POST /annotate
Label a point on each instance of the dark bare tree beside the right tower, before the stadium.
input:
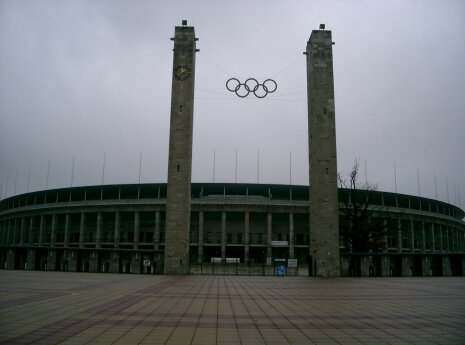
(361, 230)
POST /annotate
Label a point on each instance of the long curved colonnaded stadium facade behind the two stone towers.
(234, 229)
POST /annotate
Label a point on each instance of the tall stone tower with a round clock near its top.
(178, 201)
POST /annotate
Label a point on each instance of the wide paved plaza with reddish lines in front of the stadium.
(85, 308)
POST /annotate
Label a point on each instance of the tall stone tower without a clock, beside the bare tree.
(324, 212)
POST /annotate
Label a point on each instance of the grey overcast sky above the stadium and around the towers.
(84, 80)
